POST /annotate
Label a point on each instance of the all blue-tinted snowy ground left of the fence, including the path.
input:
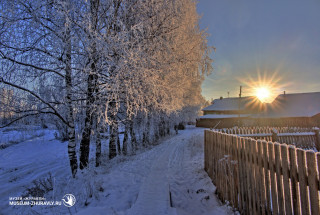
(166, 179)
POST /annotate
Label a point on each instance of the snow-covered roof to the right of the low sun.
(293, 105)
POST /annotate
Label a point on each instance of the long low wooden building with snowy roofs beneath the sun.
(300, 109)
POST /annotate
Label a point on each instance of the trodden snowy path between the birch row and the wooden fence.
(191, 189)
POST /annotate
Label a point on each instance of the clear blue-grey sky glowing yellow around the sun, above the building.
(276, 40)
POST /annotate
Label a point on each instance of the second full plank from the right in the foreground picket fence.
(302, 181)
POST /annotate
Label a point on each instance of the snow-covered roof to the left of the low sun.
(230, 104)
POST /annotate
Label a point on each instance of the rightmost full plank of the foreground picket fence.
(313, 182)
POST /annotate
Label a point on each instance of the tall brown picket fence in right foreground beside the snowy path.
(260, 177)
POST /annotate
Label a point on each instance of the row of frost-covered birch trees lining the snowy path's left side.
(104, 65)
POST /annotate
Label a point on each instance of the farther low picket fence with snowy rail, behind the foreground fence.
(305, 138)
